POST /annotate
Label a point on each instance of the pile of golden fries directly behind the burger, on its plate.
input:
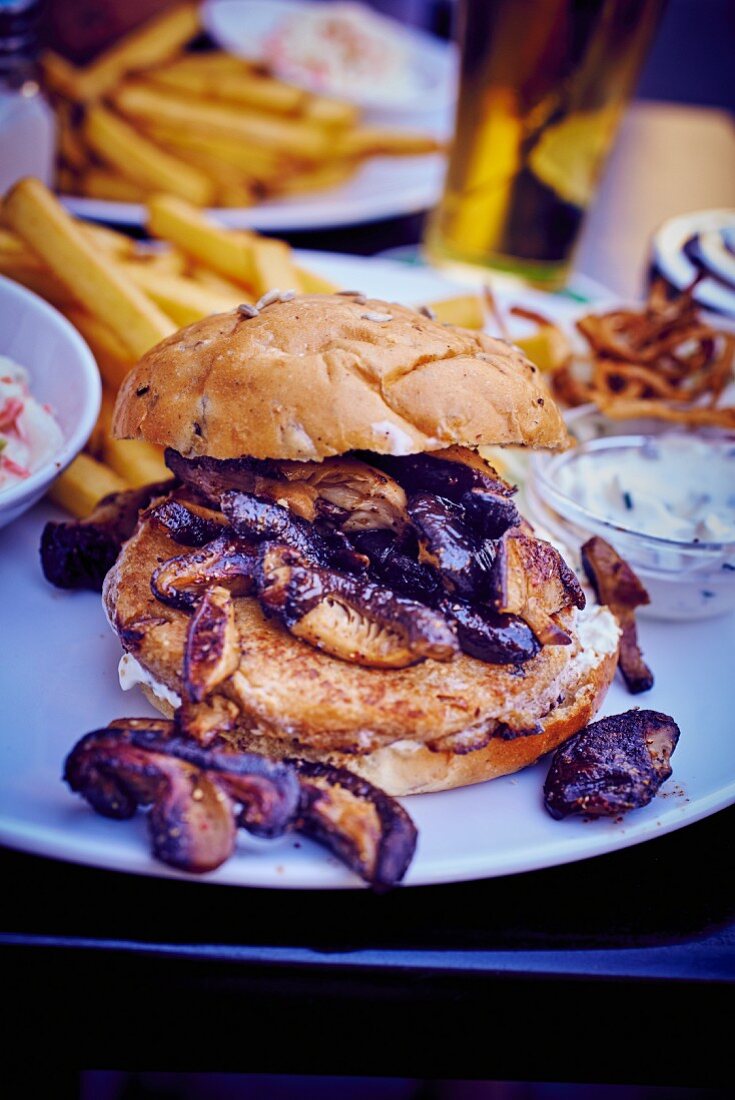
(125, 298)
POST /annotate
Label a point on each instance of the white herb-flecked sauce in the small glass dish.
(673, 487)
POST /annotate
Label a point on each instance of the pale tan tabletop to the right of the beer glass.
(668, 160)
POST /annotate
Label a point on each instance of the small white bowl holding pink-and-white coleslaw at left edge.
(50, 398)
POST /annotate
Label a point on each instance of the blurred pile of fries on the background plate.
(148, 116)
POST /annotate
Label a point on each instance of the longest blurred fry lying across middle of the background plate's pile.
(298, 137)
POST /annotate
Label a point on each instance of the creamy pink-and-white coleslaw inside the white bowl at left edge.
(29, 434)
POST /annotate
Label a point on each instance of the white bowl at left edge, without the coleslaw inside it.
(62, 372)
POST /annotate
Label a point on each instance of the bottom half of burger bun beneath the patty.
(410, 767)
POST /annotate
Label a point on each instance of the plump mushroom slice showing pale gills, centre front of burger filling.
(350, 618)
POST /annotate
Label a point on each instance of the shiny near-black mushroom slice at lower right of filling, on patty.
(489, 636)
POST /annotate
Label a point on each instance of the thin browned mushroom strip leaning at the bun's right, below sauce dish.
(617, 586)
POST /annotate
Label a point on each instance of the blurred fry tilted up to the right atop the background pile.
(152, 45)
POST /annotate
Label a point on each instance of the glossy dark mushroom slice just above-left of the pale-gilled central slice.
(264, 521)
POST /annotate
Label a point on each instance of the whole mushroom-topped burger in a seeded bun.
(335, 574)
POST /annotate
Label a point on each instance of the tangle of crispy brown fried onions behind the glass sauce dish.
(663, 361)
